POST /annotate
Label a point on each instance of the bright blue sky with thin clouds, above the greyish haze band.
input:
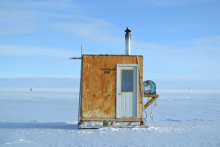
(179, 39)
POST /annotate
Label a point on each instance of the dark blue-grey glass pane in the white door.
(127, 80)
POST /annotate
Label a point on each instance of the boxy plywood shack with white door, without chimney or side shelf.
(111, 90)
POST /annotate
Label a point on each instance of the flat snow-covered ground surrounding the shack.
(48, 117)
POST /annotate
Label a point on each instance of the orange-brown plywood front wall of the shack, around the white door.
(99, 81)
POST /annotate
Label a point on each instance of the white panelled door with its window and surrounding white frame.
(127, 91)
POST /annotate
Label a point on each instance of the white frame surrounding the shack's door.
(137, 83)
